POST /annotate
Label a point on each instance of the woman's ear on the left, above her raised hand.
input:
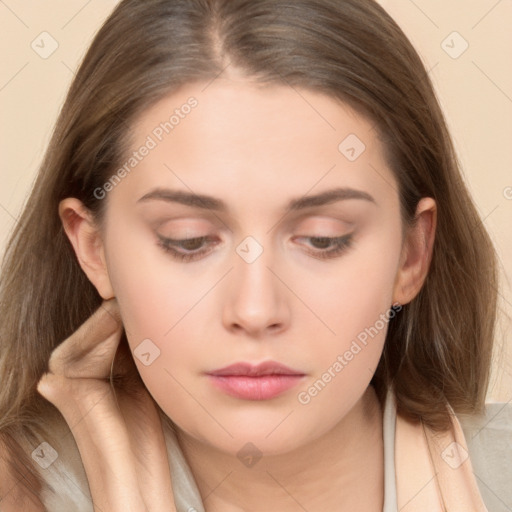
(86, 240)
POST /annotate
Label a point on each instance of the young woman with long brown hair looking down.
(257, 227)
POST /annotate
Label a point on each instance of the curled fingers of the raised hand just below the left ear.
(89, 351)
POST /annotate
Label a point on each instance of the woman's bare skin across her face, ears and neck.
(257, 148)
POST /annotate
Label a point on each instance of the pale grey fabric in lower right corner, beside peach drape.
(489, 443)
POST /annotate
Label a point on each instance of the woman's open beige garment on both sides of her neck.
(417, 487)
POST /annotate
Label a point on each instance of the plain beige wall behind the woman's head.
(475, 90)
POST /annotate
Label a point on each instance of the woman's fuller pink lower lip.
(264, 387)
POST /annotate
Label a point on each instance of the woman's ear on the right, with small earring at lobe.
(416, 252)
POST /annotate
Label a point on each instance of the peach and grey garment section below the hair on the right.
(444, 472)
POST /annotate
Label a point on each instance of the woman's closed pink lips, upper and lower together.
(255, 382)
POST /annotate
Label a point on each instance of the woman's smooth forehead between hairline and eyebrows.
(239, 140)
